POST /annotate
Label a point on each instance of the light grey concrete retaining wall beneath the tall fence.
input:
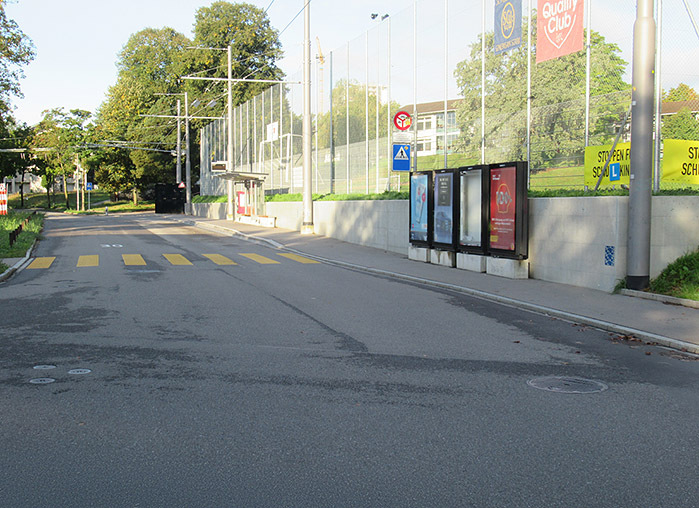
(577, 241)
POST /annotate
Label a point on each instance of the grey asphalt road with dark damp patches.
(295, 384)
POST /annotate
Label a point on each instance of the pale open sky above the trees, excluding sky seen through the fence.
(77, 41)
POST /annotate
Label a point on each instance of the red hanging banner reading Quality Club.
(559, 28)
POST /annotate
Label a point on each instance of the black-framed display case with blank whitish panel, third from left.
(473, 209)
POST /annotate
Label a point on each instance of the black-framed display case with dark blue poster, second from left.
(445, 215)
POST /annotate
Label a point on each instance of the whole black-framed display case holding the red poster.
(508, 219)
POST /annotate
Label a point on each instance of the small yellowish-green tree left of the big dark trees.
(62, 134)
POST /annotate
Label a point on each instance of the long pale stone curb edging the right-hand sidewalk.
(647, 337)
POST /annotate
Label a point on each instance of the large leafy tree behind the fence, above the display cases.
(558, 91)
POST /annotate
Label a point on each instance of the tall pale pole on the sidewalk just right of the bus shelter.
(307, 227)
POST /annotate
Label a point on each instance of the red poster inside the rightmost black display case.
(502, 208)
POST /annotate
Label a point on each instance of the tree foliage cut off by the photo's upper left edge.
(16, 50)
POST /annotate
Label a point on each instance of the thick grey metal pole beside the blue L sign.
(638, 258)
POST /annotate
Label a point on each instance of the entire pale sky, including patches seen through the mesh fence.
(77, 41)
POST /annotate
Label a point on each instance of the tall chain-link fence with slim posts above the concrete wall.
(434, 60)
